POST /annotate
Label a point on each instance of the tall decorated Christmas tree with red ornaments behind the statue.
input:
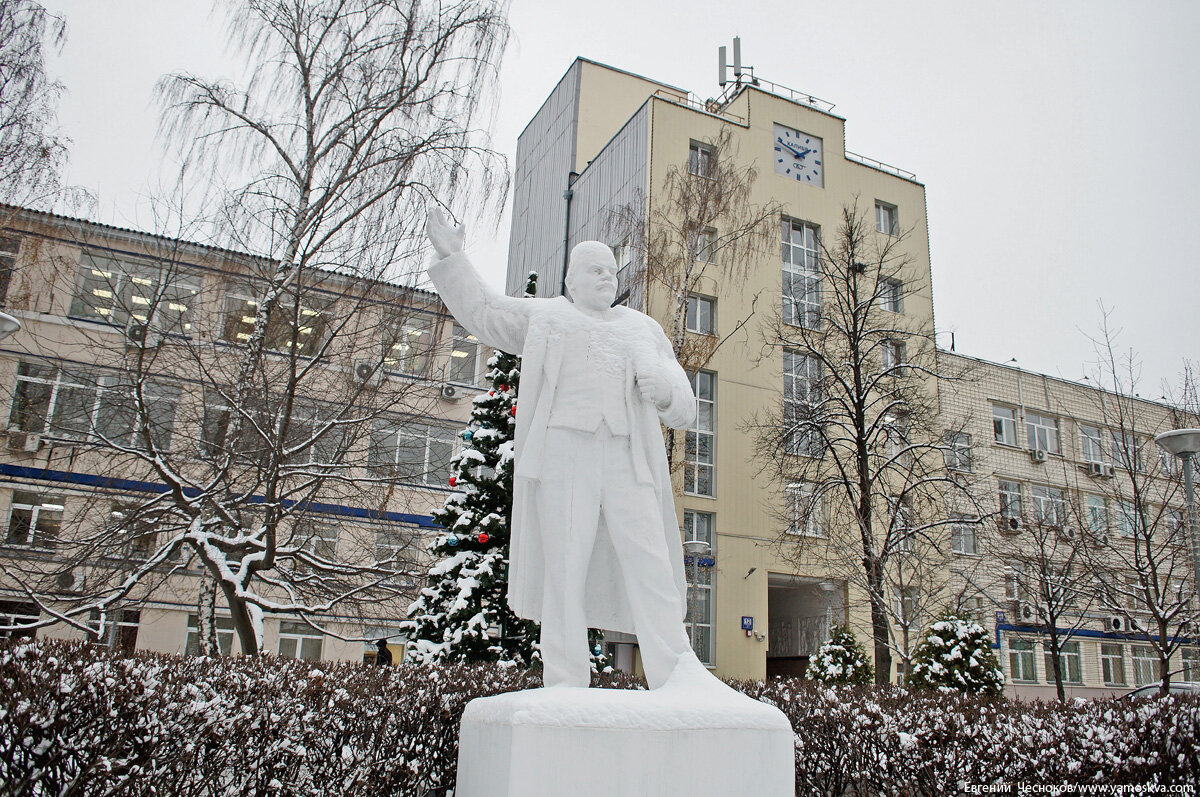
(464, 614)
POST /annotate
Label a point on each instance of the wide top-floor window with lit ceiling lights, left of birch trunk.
(121, 292)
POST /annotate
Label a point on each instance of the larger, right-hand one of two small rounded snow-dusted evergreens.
(957, 656)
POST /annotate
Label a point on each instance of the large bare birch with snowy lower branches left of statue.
(356, 116)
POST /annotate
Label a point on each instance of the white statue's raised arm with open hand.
(496, 320)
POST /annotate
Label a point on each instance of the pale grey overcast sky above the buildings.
(1058, 142)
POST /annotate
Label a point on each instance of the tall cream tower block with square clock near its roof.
(607, 140)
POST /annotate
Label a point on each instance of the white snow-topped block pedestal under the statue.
(568, 742)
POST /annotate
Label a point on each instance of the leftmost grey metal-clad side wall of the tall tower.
(545, 154)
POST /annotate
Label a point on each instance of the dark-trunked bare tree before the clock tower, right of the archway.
(857, 433)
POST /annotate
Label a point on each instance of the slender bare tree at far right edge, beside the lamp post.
(1143, 566)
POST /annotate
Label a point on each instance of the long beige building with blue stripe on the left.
(379, 381)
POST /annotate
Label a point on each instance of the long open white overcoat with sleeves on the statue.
(542, 329)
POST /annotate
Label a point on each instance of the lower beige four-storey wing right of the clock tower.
(1082, 518)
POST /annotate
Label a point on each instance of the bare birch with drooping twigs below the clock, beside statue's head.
(703, 224)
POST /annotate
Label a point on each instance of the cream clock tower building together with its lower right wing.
(608, 143)
